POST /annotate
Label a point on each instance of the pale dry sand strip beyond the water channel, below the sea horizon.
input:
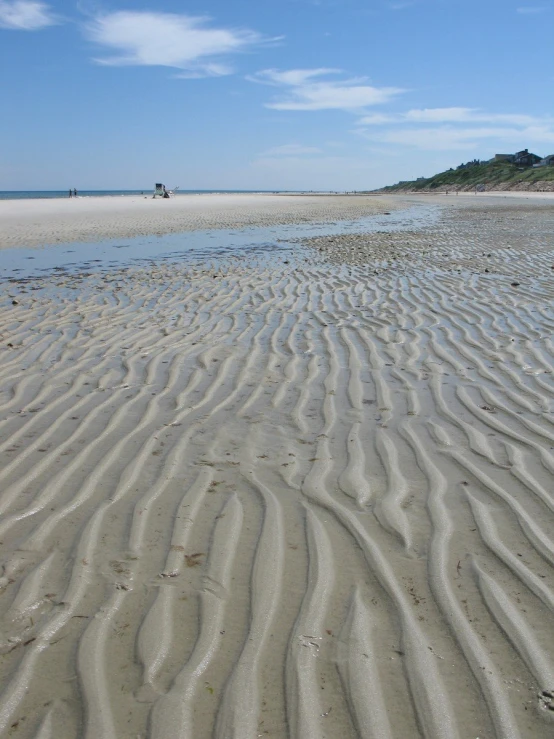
(40, 222)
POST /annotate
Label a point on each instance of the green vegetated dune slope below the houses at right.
(493, 175)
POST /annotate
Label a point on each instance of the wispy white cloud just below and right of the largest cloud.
(304, 89)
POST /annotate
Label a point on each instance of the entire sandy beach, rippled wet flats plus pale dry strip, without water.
(302, 494)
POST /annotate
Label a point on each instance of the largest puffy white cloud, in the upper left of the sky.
(188, 43)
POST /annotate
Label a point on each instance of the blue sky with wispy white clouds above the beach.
(258, 94)
